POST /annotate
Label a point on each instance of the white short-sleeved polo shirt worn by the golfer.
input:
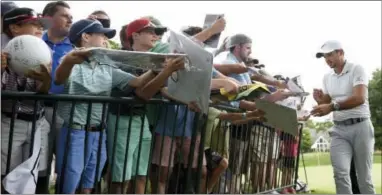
(340, 86)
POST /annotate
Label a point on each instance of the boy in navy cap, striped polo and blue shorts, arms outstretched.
(95, 78)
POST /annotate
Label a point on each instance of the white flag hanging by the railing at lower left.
(23, 179)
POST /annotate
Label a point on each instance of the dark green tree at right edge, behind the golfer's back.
(375, 101)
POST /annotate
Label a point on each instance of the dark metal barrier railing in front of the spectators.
(120, 153)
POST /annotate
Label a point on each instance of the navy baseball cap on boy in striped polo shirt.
(89, 26)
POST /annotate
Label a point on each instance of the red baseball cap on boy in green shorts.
(142, 24)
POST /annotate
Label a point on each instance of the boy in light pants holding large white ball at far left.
(17, 22)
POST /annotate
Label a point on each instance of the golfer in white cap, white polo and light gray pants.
(345, 93)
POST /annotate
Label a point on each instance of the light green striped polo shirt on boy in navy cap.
(96, 78)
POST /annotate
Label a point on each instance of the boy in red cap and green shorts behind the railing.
(141, 36)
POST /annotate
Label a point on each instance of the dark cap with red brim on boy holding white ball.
(18, 15)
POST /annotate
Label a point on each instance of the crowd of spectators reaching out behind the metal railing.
(235, 143)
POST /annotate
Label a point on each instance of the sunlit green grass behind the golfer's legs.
(320, 173)
